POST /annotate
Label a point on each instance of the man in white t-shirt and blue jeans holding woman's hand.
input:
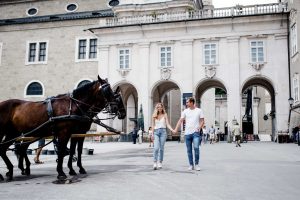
(194, 122)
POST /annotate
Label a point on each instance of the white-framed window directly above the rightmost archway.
(257, 51)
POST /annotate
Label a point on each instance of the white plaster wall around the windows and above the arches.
(187, 38)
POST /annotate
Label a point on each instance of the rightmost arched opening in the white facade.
(259, 102)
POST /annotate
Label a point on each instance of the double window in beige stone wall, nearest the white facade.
(86, 49)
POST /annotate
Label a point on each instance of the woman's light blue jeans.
(160, 136)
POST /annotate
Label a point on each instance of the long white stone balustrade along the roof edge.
(201, 14)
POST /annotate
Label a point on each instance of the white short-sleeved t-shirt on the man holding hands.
(192, 120)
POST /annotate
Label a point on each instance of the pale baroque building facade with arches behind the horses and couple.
(155, 51)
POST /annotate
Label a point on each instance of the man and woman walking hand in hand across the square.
(194, 121)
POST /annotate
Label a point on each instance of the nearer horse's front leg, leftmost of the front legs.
(61, 148)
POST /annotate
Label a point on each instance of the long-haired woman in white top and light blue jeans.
(159, 123)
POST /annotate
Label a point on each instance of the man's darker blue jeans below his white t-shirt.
(193, 140)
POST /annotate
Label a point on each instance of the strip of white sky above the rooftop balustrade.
(229, 3)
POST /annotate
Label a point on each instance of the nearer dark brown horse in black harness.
(60, 116)
